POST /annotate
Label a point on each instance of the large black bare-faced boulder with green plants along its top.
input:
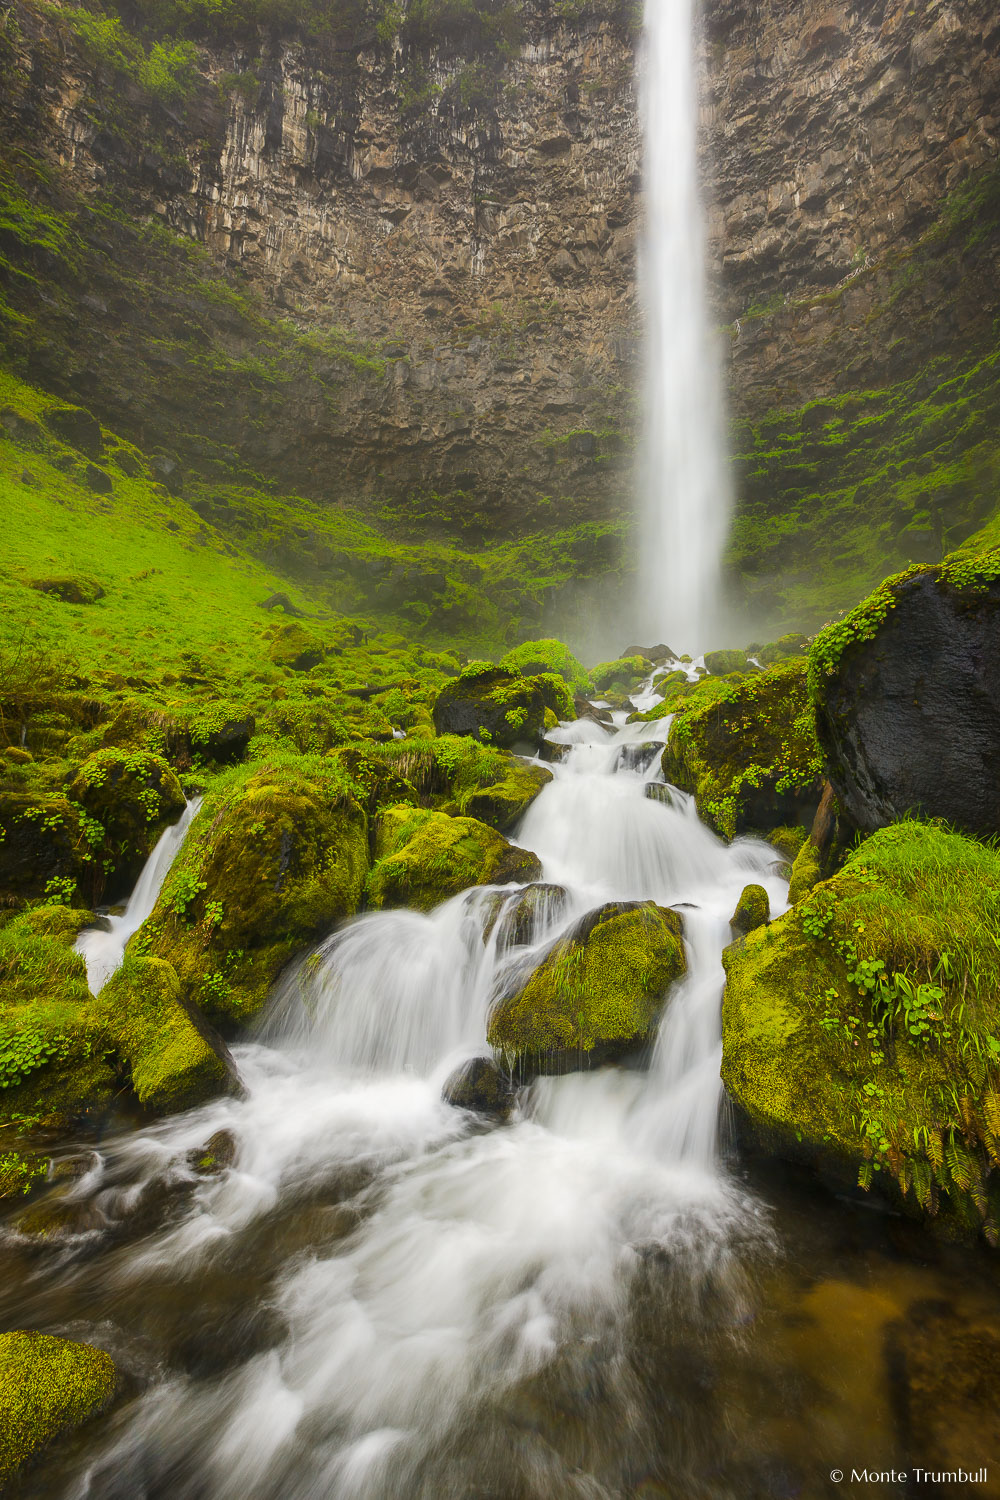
(908, 698)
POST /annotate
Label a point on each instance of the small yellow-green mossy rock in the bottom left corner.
(47, 1387)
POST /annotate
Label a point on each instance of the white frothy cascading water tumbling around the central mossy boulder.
(421, 1286)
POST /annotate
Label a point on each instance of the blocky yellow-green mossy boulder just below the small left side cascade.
(175, 1061)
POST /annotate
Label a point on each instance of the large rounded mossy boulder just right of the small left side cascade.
(275, 859)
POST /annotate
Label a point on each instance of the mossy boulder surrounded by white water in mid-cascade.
(597, 994)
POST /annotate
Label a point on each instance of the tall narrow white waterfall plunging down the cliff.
(684, 481)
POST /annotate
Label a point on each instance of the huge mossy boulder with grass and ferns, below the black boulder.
(861, 1031)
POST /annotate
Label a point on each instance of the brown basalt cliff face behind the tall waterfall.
(449, 239)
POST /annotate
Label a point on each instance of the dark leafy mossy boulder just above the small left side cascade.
(130, 797)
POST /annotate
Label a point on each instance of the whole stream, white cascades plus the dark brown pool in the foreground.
(374, 1295)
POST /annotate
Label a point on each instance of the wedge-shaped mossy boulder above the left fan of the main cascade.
(427, 857)
